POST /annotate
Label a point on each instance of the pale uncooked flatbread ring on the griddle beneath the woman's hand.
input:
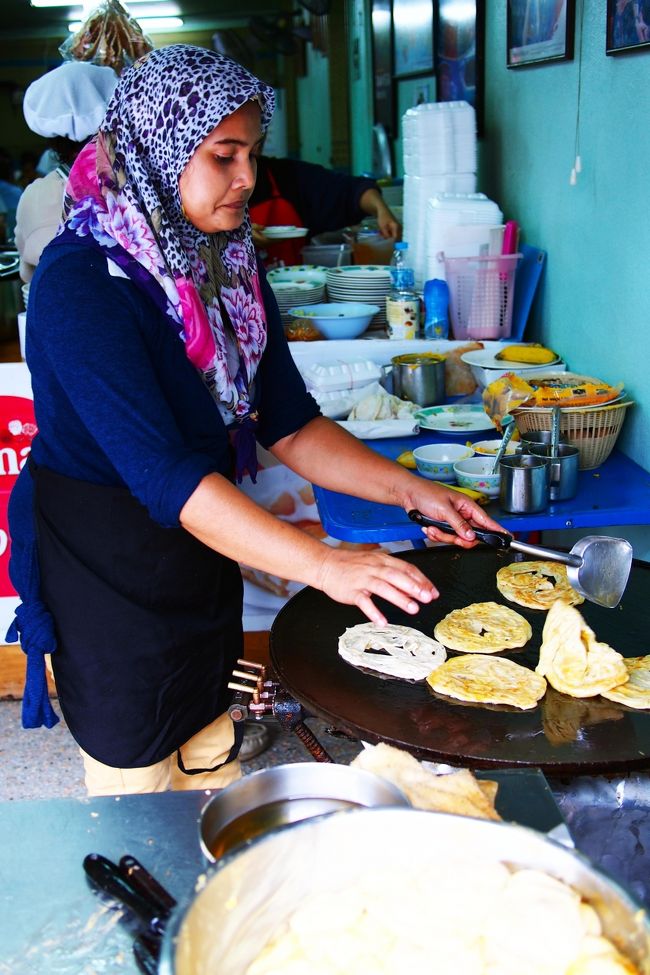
(398, 651)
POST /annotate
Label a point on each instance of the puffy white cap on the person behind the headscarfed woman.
(69, 101)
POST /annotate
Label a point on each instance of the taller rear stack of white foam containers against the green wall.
(440, 156)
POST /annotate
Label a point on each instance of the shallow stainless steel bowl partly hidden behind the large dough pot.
(271, 798)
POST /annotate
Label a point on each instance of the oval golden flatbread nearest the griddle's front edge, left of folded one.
(488, 680)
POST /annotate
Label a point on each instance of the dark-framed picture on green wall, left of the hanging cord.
(543, 38)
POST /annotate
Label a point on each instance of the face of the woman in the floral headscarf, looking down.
(219, 178)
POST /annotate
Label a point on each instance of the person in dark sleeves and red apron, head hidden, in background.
(289, 192)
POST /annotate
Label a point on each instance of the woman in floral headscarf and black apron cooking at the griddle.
(157, 360)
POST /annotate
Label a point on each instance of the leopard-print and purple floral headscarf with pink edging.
(123, 197)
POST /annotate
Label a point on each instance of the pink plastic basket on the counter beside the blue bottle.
(481, 293)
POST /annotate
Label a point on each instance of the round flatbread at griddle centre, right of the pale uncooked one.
(483, 628)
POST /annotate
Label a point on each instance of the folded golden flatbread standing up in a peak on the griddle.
(571, 658)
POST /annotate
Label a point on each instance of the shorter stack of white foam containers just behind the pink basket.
(459, 225)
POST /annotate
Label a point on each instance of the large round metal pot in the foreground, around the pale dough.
(249, 893)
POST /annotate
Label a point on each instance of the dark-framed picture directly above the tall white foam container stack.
(460, 32)
